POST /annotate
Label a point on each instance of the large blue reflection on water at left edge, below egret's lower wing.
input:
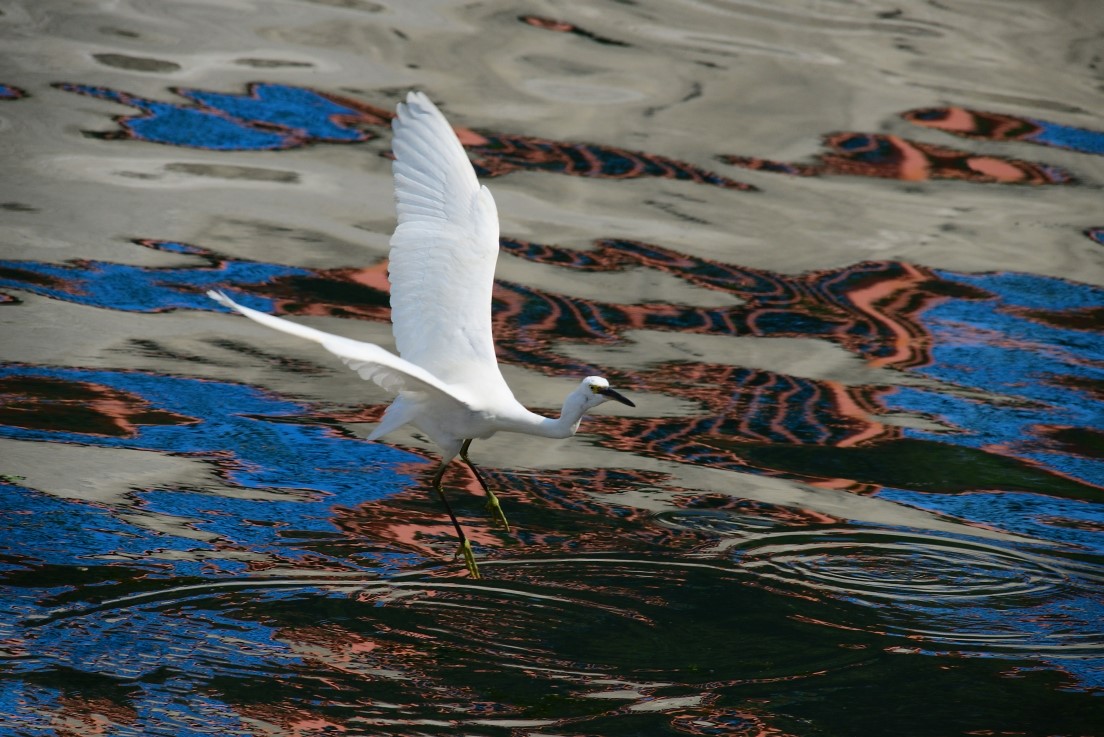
(239, 431)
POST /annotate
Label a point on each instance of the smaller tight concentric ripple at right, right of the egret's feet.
(939, 593)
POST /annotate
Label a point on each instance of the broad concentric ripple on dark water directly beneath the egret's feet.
(379, 654)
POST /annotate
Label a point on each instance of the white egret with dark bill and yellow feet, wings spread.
(442, 273)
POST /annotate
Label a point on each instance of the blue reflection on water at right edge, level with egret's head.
(1023, 365)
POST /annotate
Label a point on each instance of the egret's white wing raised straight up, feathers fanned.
(443, 254)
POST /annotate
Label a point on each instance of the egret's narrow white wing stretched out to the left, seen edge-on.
(370, 361)
